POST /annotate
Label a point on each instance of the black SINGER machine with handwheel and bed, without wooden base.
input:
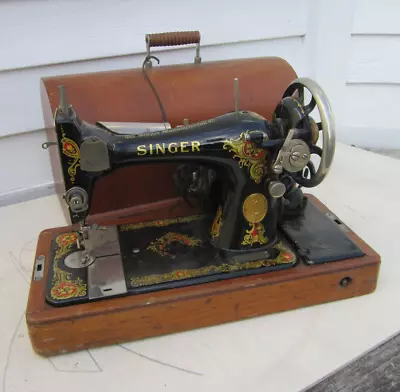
(239, 169)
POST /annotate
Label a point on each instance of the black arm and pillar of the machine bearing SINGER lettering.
(215, 148)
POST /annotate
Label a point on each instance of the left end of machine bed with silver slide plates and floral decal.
(87, 264)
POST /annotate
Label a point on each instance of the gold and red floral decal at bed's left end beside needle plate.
(63, 286)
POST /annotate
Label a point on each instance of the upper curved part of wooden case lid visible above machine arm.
(196, 92)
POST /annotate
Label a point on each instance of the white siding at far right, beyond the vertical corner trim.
(372, 81)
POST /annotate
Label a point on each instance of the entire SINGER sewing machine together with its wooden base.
(242, 241)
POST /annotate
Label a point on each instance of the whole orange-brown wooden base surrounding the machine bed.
(60, 330)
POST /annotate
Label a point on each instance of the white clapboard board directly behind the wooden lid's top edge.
(21, 91)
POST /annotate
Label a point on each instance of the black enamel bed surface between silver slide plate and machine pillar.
(212, 263)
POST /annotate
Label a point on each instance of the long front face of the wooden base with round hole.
(191, 313)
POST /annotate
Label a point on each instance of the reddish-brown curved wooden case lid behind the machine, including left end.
(197, 92)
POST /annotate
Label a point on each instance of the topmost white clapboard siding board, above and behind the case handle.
(60, 31)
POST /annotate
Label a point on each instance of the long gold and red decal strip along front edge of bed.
(285, 256)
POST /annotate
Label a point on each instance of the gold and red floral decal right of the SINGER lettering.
(249, 156)
